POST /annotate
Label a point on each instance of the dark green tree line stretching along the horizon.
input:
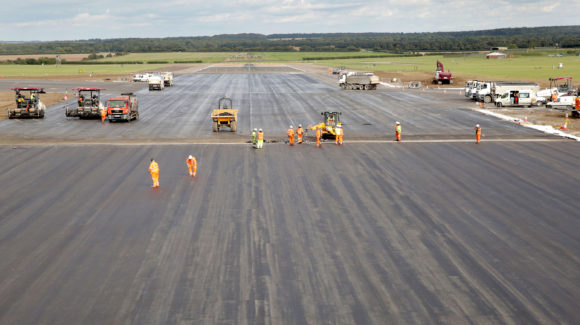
(553, 36)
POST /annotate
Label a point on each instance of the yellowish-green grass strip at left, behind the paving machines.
(10, 70)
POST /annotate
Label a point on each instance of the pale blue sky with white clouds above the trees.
(30, 20)
